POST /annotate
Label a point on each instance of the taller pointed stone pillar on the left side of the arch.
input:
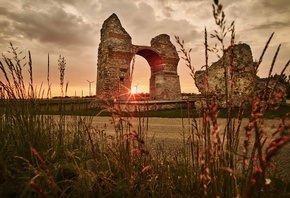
(114, 57)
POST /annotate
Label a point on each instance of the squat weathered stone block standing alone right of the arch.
(245, 81)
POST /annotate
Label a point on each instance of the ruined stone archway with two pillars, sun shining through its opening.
(114, 68)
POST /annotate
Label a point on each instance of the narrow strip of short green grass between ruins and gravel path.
(82, 107)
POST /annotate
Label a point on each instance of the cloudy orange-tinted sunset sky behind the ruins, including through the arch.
(71, 28)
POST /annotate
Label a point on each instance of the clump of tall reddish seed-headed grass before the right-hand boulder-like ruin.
(217, 154)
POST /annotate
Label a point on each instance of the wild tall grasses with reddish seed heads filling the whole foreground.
(47, 156)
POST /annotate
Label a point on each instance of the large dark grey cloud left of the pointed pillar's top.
(54, 26)
